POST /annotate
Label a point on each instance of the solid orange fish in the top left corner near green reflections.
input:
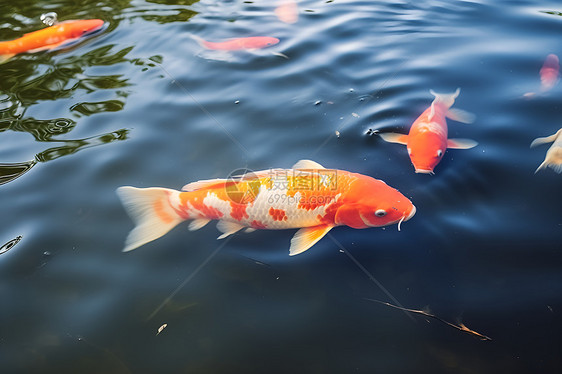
(50, 37)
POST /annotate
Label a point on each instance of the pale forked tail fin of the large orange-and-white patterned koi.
(150, 209)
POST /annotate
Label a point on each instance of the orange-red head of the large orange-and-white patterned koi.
(371, 202)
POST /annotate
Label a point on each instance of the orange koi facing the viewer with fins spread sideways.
(427, 140)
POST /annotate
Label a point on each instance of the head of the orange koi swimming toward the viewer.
(426, 149)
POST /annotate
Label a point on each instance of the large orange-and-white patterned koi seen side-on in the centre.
(308, 197)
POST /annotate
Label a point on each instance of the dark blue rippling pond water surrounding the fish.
(142, 104)
